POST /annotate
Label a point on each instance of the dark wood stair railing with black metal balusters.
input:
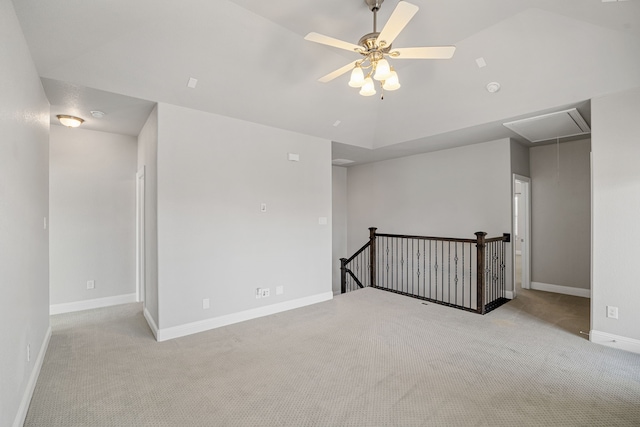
(442, 270)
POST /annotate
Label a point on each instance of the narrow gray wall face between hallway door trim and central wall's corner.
(148, 159)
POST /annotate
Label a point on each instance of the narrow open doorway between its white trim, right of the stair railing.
(522, 233)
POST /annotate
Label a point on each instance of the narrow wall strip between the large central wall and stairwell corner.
(339, 215)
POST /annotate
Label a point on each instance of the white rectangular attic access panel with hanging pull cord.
(560, 124)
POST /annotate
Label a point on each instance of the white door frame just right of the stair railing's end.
(526, 247)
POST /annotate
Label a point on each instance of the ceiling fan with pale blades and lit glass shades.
(375, 47)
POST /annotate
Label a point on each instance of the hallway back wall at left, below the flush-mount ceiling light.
(92, 209)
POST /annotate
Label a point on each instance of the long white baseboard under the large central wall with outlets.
(217, 322)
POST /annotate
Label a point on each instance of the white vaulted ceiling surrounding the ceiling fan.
(252, 62)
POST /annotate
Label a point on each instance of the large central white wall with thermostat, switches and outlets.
(213, 240)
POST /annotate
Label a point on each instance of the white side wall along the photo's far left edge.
(24, 243)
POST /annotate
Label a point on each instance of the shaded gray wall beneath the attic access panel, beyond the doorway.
(561, 214)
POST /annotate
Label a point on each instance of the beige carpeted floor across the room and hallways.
(368, 358)
